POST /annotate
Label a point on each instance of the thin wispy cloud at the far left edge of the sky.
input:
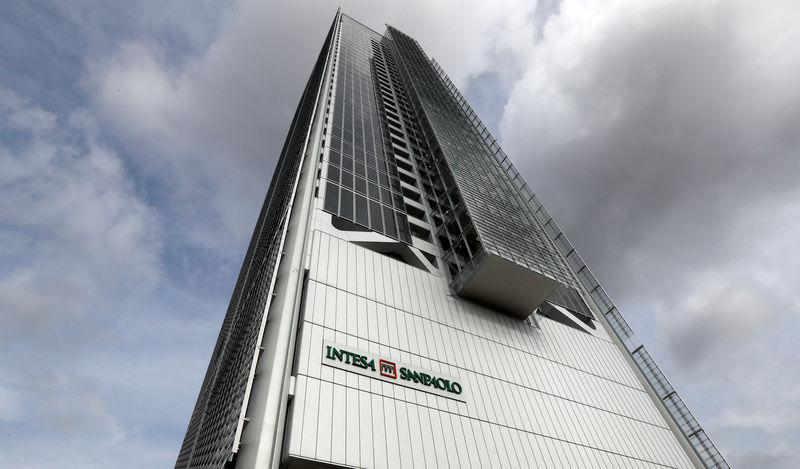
(82, 243)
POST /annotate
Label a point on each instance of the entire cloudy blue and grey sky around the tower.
(137, 140)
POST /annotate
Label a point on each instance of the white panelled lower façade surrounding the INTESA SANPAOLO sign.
(536, 397)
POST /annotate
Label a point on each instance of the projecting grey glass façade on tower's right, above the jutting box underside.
(470, 181)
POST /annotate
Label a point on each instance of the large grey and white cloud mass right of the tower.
(663, 137)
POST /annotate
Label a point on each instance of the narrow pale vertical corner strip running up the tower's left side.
(258, 438)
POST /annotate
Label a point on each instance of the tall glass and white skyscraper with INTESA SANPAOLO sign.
(406, 301)
